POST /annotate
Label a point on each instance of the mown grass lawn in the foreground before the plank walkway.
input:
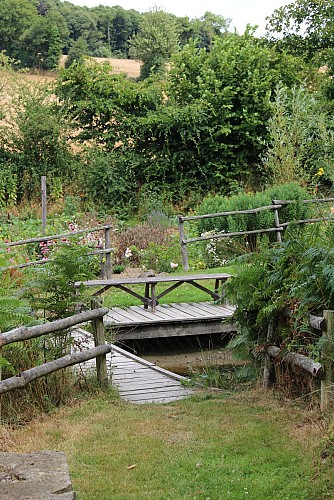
(211, 446)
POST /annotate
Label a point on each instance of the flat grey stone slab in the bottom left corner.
(41, 475)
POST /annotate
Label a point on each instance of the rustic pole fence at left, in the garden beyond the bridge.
(106, 251)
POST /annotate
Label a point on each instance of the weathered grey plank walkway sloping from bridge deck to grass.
(137, 380)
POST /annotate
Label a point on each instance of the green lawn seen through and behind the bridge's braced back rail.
(185, 293)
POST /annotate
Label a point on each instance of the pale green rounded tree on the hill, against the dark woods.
(155, 42)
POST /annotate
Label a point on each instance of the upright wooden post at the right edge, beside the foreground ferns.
(327, 356)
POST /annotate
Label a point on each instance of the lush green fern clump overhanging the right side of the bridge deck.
(284, 285)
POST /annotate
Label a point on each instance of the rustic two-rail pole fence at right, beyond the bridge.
(278, 227)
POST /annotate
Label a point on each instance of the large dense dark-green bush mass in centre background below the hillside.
(204, 129)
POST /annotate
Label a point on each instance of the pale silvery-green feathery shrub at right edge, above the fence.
(301, 139)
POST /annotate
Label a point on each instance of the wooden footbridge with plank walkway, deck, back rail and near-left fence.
(137, 380)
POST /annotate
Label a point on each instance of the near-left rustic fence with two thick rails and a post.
(25, 333)
